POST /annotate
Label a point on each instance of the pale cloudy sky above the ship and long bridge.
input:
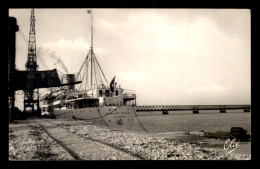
(168, 56)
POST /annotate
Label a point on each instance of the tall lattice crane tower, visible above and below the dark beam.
(31, 96)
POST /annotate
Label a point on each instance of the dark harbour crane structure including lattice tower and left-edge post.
(30, 79)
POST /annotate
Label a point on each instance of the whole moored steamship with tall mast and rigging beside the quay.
(95, 100)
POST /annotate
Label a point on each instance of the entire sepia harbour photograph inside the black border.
(121, 84)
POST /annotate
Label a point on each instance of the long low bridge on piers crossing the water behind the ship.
(194, 108)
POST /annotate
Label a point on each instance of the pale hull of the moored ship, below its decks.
(119, 117)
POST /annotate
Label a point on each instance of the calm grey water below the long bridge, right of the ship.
(209, 121)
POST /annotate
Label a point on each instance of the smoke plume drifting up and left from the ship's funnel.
(52, 54)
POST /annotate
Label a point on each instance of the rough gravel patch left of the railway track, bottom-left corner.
(28, 142)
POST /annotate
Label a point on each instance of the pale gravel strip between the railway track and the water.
(150, 148)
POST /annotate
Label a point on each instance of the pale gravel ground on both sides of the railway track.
(29, 142)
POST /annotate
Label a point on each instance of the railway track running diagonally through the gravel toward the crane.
(82, 148)
